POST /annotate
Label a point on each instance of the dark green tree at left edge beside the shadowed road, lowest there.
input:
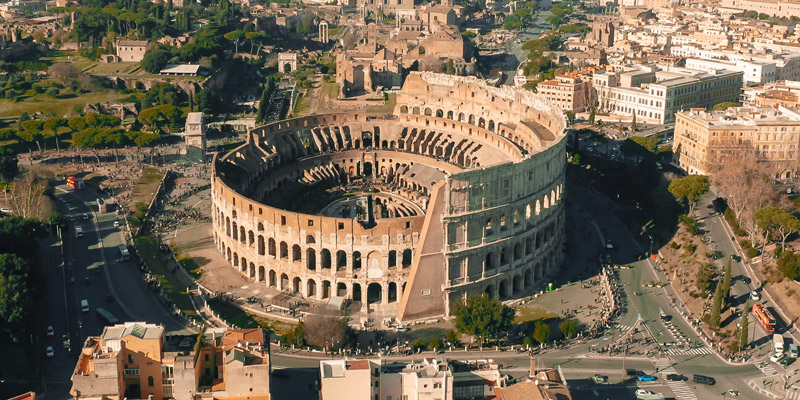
(15, 293)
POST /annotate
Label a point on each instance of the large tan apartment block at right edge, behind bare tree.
(703, 138)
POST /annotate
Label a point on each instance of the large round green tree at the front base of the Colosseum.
(482, 316)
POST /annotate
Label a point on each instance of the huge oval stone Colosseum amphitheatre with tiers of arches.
(459, 190)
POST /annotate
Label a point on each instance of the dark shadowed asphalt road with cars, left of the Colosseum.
(93, 272)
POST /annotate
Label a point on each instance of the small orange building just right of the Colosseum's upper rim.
(570, 92)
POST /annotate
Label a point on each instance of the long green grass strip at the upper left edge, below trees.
(57, 106)
